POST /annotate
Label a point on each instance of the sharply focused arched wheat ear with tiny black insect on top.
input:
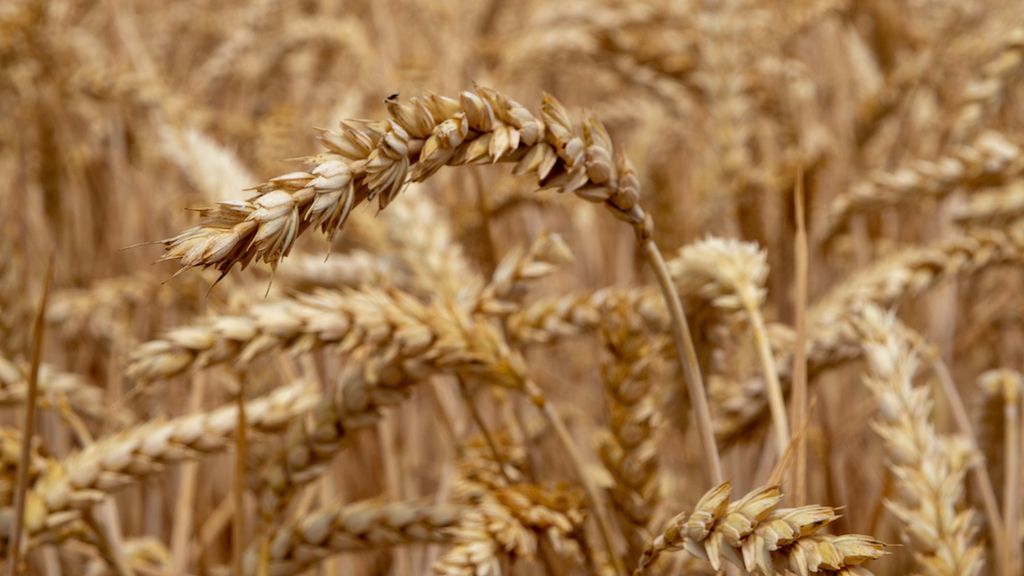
(365, 160)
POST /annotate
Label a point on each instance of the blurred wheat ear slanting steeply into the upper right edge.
(986, 93)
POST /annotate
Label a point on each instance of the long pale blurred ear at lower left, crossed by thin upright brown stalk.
(87, 478)
